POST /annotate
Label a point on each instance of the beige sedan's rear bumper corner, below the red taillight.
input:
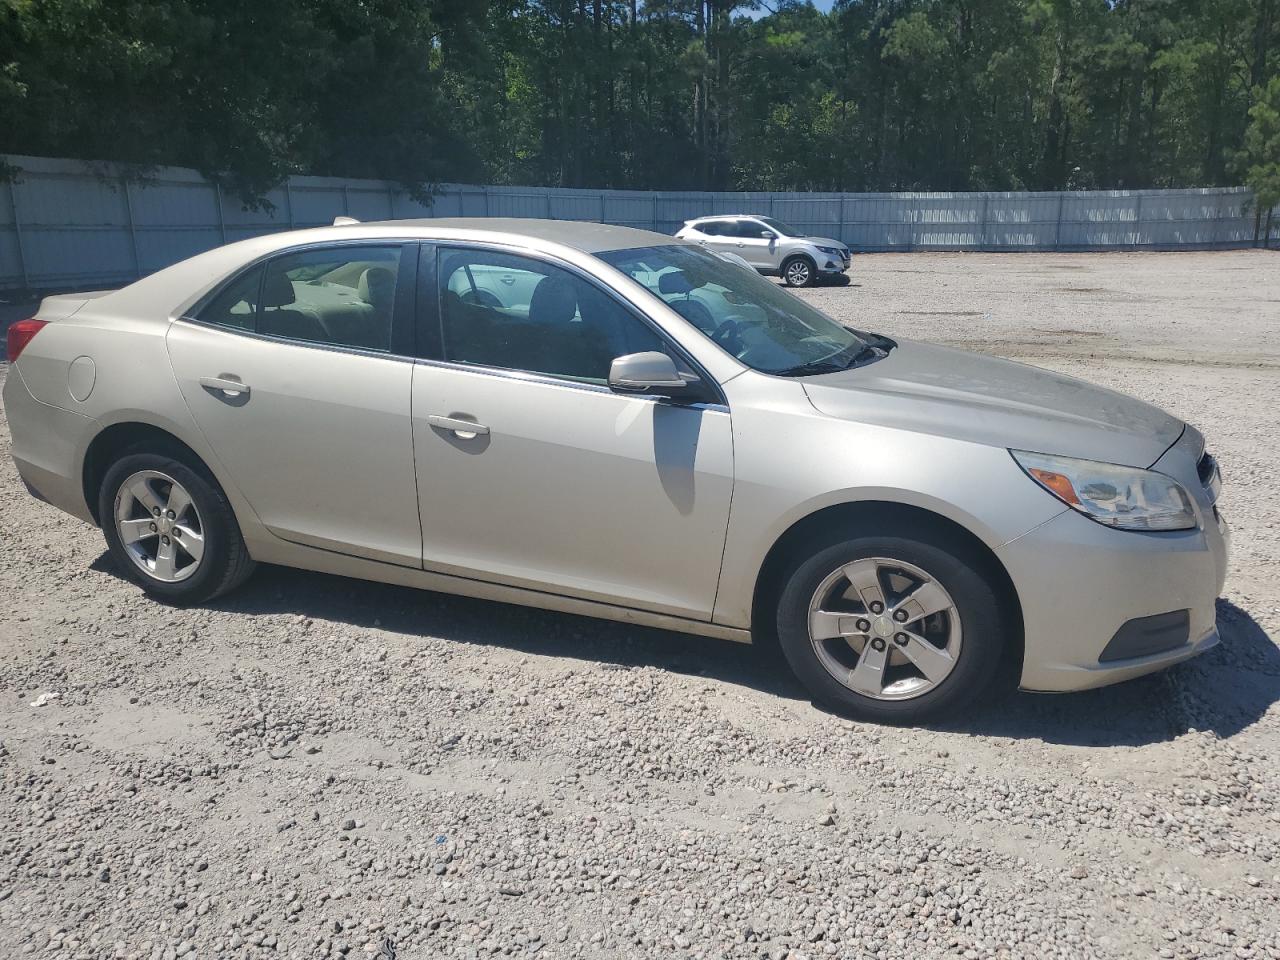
(49, 446)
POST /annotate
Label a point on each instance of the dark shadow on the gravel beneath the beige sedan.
(1224, 691)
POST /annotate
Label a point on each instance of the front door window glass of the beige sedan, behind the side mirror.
(522, 314)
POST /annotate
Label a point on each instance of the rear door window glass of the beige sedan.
(342, 296)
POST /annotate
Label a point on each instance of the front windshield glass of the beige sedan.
(756, 321)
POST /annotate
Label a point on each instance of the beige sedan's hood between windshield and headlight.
(998, 403)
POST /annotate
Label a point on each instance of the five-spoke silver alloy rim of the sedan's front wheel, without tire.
(885, 629)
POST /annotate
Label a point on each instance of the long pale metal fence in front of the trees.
(66, 223)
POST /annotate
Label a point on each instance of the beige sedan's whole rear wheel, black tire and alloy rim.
(223, 563)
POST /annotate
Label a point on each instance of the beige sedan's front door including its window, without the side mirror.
(533, 473)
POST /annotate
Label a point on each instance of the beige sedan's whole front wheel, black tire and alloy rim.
(970, 636)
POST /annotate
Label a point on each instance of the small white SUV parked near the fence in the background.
(771, 246)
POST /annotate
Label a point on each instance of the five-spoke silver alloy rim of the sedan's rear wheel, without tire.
(159, 527)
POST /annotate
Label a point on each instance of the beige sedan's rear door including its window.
(299, 374)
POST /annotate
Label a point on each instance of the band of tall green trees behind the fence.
(876, 95)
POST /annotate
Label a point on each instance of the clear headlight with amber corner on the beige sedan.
(1127, 499)
